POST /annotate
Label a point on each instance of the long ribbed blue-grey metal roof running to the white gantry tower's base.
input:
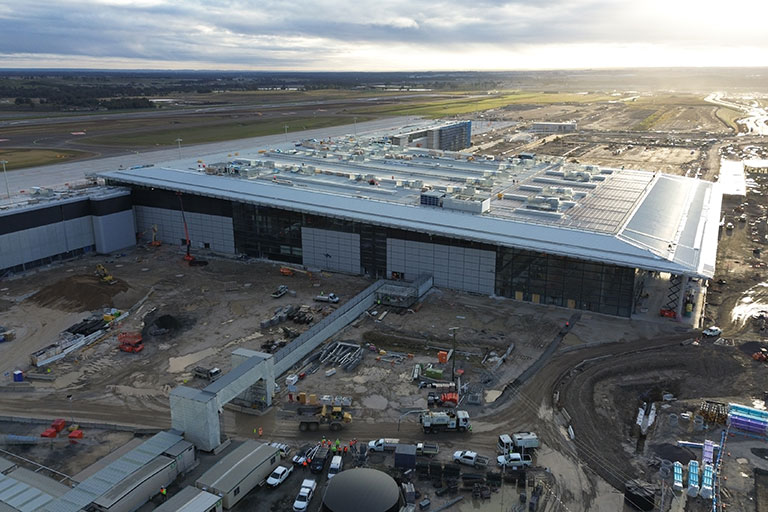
(102, 481)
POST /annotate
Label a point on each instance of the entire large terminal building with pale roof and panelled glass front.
(542, 231)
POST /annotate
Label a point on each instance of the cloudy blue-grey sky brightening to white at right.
(388, 35)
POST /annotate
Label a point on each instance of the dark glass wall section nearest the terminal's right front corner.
(561, 281)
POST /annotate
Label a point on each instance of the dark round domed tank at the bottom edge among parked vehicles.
(362, 490)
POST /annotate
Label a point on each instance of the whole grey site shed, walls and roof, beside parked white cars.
(240, 471)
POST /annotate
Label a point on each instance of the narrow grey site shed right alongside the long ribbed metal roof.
(138, 488)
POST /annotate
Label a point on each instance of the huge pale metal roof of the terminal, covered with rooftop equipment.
(625, 217)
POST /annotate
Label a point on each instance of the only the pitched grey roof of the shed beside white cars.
(236, 465)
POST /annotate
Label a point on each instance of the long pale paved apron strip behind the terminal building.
(57, 175)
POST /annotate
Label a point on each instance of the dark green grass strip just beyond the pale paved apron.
(218, 133)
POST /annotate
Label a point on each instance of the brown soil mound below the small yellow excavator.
(79, 293)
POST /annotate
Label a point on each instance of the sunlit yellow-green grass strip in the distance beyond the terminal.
(465, 105)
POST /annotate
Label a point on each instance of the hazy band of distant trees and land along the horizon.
(92, 89)
